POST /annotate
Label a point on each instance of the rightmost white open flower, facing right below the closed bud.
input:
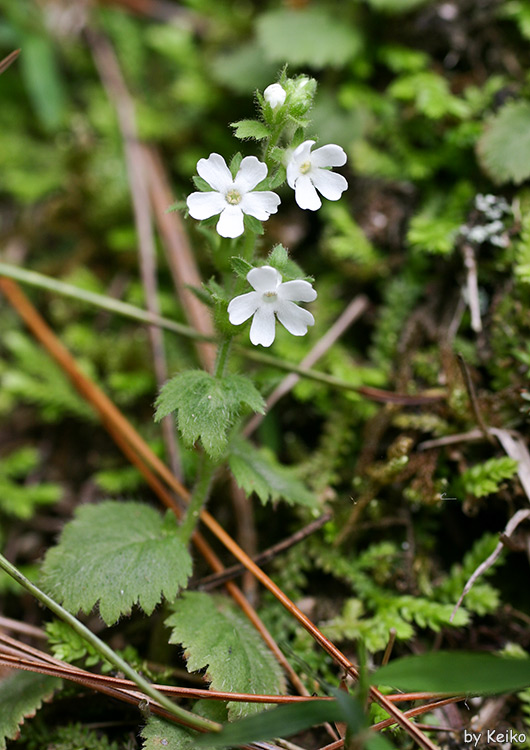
(307, 171)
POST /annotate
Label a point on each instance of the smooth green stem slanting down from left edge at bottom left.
(185, 717)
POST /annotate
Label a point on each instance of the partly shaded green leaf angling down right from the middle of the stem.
(257, 470)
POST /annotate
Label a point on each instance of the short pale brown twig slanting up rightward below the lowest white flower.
(353, 311)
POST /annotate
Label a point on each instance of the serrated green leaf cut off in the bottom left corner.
(21, 695)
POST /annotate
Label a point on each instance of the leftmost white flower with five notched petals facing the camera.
(232, 198)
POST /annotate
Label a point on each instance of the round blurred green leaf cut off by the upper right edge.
(504, 147)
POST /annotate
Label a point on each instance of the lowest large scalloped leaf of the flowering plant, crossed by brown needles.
(215, 635)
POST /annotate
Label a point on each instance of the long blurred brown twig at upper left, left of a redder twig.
(117, 92)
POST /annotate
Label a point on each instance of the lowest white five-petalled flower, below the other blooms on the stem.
(272, 297)
